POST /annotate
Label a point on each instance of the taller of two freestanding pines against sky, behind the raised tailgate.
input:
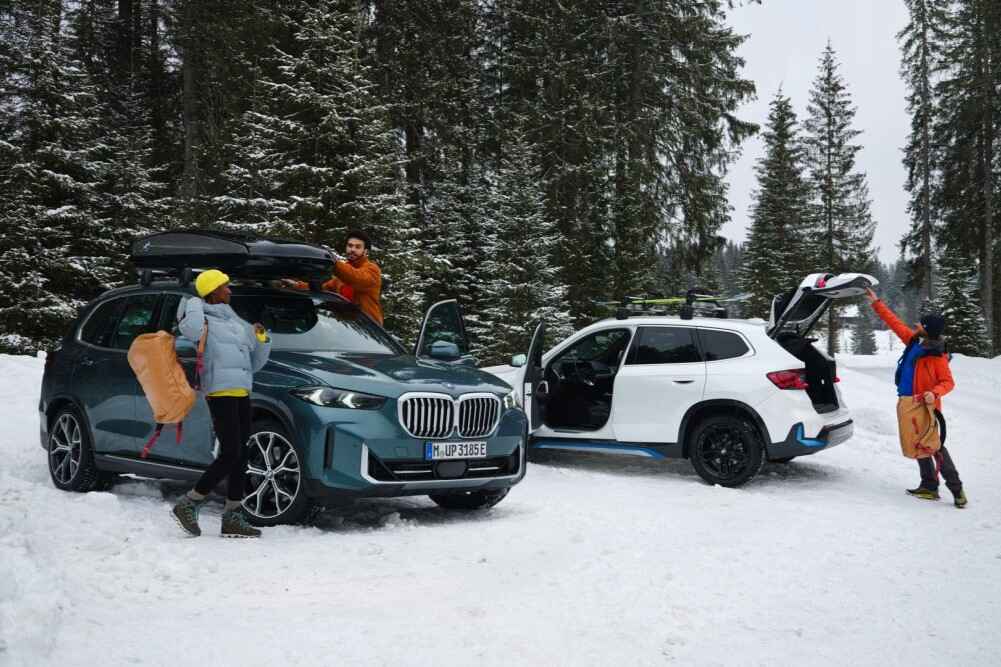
(842, 225)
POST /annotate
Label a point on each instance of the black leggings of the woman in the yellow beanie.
(232, 421)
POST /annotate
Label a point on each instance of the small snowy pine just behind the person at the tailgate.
(959, 297)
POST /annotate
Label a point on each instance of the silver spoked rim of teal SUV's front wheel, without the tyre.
(274, 475)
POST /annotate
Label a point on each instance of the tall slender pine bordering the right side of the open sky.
(922, 45)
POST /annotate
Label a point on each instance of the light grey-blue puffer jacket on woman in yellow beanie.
(233, 352)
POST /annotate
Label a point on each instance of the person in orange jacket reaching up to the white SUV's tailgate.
(923, 372)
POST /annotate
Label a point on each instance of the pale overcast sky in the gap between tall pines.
(787, 38)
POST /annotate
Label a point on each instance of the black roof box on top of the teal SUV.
(239, 256)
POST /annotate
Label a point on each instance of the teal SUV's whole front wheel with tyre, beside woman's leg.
(282, 497)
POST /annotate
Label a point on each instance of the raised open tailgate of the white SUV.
(796, 312)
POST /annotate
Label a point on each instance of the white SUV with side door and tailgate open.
(727, 394)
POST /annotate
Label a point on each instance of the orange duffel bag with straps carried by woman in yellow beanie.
(155, 361)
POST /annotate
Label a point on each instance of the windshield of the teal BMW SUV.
(305, 324)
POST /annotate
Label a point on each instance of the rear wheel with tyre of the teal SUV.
(72, 453)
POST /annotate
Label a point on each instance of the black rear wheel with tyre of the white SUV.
(726, 450)
